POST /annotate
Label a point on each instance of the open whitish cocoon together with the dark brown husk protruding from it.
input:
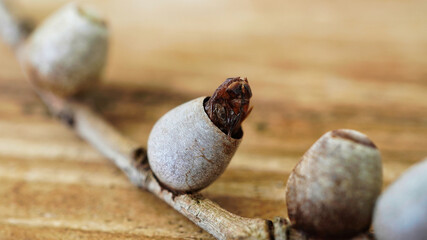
(189, 149)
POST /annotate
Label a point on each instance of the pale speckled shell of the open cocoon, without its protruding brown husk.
(186, 151)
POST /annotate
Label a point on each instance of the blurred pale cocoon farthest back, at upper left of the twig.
(67, 52)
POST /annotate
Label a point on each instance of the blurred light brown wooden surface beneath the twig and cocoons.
(313, 67)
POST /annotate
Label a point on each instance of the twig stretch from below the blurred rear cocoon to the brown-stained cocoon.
(131, 159)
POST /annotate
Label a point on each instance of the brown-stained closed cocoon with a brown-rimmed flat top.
(332, 191)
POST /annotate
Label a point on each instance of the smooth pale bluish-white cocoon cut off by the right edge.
(401, 210)
